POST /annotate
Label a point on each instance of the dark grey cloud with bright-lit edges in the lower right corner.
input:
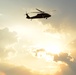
(69, 60)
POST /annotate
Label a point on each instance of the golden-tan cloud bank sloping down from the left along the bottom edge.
(9, 69)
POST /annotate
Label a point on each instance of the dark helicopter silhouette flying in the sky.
(41, 14)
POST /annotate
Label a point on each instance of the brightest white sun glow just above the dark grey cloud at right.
(53, 47)
